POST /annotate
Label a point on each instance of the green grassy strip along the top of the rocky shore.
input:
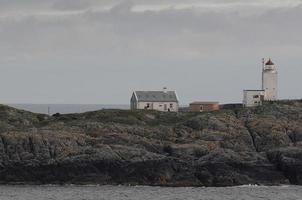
(19, 118)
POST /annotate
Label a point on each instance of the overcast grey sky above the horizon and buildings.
(98, 51)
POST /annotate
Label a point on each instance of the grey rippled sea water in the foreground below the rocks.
(148, 193)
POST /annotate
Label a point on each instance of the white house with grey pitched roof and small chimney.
(166, 101)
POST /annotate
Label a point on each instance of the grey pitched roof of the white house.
(156, 96)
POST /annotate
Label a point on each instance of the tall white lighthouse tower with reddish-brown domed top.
(270, 81)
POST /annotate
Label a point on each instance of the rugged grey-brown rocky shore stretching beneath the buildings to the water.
(223, 148)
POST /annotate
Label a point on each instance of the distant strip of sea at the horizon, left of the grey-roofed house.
(66, 108)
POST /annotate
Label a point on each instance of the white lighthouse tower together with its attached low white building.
(269, 90)
